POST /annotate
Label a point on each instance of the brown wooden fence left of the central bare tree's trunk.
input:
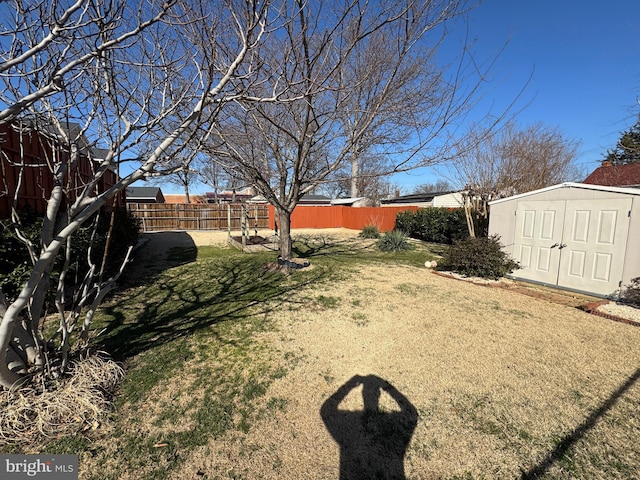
(197, 216)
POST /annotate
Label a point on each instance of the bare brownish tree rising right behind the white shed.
(511, 161)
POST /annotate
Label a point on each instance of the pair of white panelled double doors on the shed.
(573, 244)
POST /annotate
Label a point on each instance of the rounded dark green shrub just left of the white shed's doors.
(478, 257)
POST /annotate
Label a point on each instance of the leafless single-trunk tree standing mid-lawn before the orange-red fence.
(361, 81)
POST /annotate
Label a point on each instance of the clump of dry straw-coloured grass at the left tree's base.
(78, 402)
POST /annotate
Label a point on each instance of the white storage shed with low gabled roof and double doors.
(575, 236)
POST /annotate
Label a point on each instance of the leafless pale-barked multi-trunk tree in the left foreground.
(121, 71)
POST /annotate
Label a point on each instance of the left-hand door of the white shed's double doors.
(539, 226)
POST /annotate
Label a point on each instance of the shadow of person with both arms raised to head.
(372, 442)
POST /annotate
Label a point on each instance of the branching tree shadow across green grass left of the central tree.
(183, 301)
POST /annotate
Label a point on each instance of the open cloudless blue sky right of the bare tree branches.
(585, 61)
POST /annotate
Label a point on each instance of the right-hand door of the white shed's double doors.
(595, 235)
